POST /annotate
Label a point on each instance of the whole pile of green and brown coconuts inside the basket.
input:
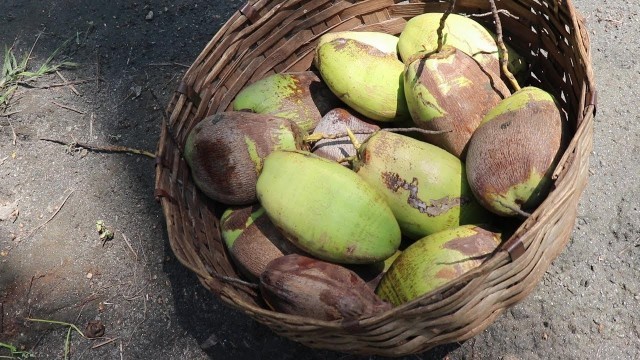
(387, 170)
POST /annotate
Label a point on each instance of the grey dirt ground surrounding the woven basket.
(130, 57)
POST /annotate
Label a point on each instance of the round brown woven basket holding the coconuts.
(265, 37)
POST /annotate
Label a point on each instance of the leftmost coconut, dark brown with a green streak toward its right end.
(225, 152)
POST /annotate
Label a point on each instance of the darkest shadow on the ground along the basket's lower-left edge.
(218, 328)
